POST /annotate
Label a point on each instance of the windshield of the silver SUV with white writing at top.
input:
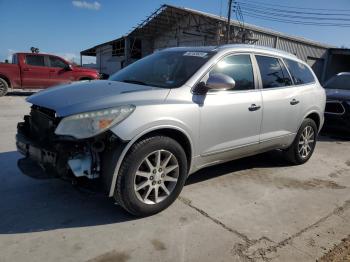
(166, 69)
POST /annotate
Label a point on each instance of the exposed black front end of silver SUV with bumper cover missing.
(48, 155)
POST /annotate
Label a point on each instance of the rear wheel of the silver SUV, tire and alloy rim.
(301, 151)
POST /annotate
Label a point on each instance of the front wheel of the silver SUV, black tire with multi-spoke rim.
(145, 185)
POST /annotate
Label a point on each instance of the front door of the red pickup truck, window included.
(59, 72)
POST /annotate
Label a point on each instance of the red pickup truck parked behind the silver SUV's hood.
(33, 71)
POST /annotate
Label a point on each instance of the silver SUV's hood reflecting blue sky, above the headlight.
(95, 95)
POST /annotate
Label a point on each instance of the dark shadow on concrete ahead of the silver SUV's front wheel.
(30, 205)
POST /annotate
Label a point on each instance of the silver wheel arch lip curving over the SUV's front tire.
(132, 141)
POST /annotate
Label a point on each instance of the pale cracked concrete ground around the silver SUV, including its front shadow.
(254, 209)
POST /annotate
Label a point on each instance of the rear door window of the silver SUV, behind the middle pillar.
(273, 73)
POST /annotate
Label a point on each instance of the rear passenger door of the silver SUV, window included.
(281, 103)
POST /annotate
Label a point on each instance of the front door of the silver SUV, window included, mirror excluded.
(230, 120)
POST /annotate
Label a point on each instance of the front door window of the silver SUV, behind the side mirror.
(240, 68)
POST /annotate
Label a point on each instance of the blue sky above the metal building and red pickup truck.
(66, 27)
